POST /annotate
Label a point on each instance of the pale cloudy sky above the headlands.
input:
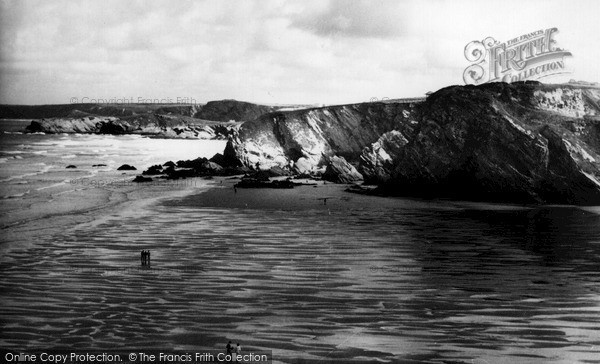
(267, 51)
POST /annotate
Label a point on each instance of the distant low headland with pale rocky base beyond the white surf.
(216, 119)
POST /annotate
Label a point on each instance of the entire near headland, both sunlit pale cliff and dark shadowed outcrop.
(524, 142)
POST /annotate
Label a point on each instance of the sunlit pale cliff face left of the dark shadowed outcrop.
(302, 138)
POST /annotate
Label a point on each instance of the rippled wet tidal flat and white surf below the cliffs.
(313, 274)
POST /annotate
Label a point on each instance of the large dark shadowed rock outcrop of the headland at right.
(499, 142)
